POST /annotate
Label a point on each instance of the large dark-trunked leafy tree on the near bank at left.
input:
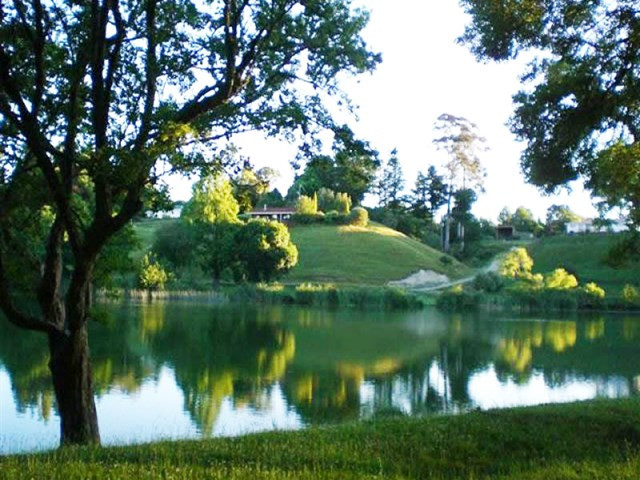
(116, 92)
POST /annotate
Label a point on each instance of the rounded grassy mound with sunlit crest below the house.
(373, 255)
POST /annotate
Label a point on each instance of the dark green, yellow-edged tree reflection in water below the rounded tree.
(218, 354)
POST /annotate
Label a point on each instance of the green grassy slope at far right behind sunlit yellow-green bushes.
(584, 255)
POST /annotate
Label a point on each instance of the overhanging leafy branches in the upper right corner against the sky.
(578, 111)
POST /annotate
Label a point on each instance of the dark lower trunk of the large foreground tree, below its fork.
(73, 385)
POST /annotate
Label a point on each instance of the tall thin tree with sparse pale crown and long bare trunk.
(462, 143)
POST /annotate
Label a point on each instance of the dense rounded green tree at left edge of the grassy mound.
(264, 250)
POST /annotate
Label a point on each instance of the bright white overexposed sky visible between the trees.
(424, 73)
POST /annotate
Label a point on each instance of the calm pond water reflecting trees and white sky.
(185, 370)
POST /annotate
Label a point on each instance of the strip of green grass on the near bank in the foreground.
(597, 439)
